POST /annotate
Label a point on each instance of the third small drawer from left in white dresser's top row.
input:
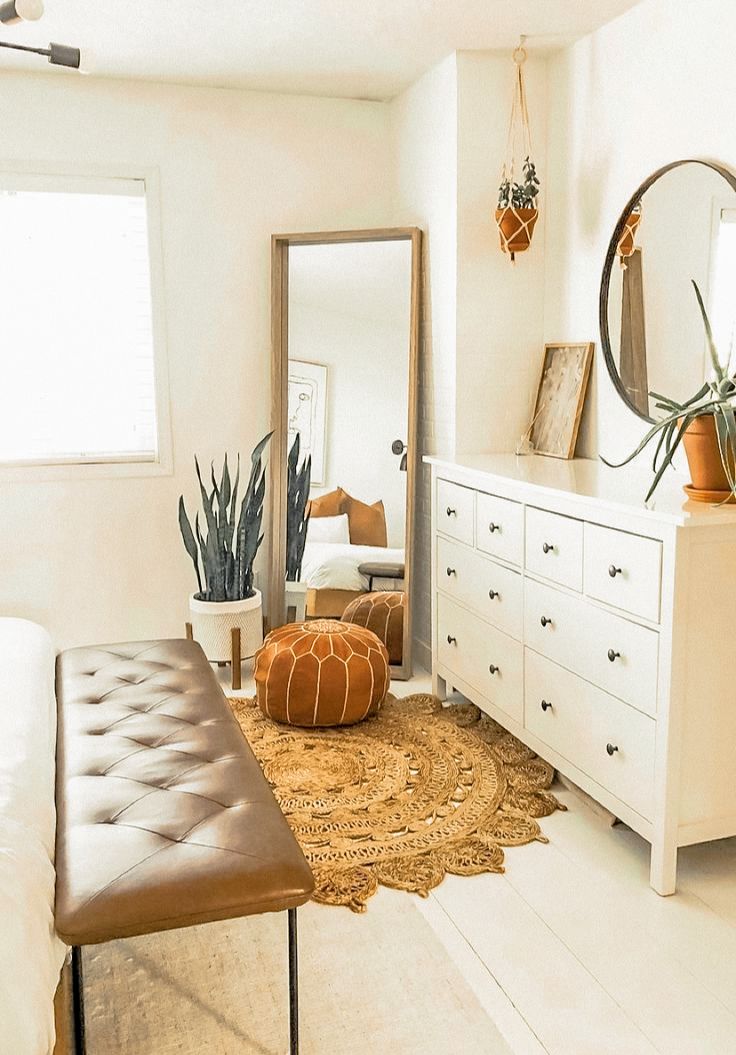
(554, 548)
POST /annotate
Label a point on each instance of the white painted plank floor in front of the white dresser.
(573, 954)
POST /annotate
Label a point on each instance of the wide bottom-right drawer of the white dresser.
(606, 739)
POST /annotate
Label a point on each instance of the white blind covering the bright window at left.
(78, 376)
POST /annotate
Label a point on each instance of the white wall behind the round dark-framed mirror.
(655, 86)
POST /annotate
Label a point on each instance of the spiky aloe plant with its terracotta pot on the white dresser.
(706, 425)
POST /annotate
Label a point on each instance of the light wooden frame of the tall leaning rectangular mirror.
(280, 400)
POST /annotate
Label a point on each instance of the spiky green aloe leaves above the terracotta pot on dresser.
(718, 397)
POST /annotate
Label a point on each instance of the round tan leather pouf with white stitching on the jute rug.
(321, 674)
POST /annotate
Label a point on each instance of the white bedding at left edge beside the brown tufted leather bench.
(31, 955)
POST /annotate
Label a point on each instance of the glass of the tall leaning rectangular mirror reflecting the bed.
(350, 389)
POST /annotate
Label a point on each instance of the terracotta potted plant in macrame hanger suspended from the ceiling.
(517, 212)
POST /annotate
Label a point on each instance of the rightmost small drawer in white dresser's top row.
(624, 570)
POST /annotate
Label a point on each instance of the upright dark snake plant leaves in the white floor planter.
(229, 547)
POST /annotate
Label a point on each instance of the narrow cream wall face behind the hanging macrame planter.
(500, 304)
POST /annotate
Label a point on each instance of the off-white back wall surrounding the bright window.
(99, 561)
